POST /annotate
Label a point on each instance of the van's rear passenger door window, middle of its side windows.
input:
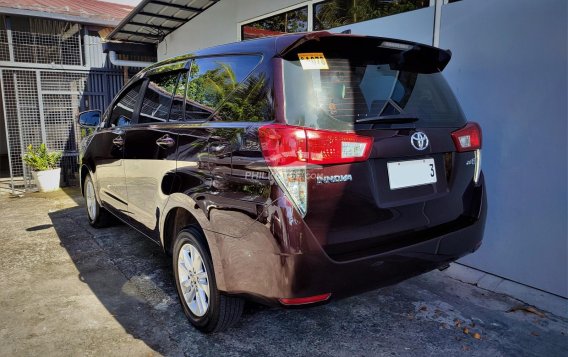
(158, 98)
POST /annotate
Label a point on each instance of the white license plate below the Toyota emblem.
(411, 173)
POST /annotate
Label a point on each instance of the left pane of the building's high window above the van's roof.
(287, 22)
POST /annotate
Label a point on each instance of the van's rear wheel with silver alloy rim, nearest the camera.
(204, 306)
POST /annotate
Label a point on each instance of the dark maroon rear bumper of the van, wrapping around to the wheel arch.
(265, 268)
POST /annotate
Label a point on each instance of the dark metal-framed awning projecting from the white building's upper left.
(152, 20)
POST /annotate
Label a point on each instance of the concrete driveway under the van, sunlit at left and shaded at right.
(69, 289)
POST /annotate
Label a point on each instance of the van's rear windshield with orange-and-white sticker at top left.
(352, 90)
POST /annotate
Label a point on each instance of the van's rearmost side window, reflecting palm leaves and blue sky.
(216, 81)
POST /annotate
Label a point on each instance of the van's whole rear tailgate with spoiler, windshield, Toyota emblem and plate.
(414, 181)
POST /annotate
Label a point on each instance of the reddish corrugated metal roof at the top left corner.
(91, 10)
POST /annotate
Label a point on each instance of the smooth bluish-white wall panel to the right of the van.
(509, 73)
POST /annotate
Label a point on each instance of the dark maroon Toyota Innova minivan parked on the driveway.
(290, 170)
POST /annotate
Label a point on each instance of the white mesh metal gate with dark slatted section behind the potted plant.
(40, 106)
